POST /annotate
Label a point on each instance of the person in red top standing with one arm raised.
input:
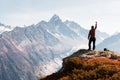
(91, 36)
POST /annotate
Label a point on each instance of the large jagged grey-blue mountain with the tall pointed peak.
(27, 53)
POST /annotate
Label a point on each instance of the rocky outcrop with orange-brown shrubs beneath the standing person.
(89, 65)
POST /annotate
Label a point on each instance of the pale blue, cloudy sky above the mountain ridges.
(83, 12)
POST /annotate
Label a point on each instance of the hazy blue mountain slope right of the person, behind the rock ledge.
(112, 43)
